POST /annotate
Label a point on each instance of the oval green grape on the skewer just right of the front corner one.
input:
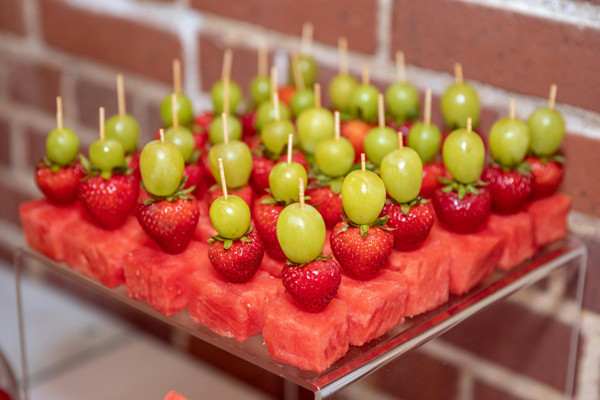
(363, 196)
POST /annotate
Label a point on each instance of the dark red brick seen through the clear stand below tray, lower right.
(518, 339)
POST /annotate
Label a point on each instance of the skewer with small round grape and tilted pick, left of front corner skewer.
(237, 251)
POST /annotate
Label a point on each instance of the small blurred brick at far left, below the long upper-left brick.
(32, 83)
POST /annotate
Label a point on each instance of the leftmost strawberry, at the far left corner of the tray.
(59, 186)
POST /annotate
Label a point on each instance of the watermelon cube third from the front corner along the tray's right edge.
(427, 273)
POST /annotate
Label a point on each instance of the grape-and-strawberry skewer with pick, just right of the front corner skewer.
(360, 243)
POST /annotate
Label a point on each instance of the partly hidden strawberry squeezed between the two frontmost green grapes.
(265, 213)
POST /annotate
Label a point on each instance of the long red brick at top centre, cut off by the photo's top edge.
(354, 19)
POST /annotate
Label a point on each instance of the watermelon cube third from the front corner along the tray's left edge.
(161, 279)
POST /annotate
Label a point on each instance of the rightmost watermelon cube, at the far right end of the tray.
(549, 218)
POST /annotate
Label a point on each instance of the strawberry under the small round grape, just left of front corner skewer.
(239, 262)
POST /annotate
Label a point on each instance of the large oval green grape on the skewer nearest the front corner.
(301, 233)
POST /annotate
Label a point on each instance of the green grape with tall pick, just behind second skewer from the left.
(122, 126)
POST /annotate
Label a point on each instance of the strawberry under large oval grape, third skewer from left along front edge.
(170, 223)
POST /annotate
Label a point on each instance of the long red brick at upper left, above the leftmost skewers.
(122, 43)
